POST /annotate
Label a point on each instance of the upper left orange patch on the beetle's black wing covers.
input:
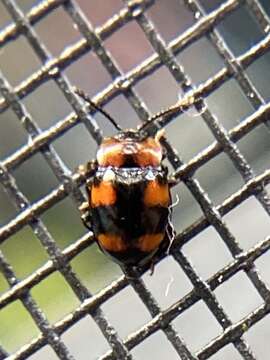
(103, 194)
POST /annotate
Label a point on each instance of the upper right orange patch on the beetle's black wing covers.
(156, 194)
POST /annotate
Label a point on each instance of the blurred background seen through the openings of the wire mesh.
(188, 134)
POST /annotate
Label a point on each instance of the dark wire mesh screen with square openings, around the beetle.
(60, 297)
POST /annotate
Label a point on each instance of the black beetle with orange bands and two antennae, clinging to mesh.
(129, 200)
